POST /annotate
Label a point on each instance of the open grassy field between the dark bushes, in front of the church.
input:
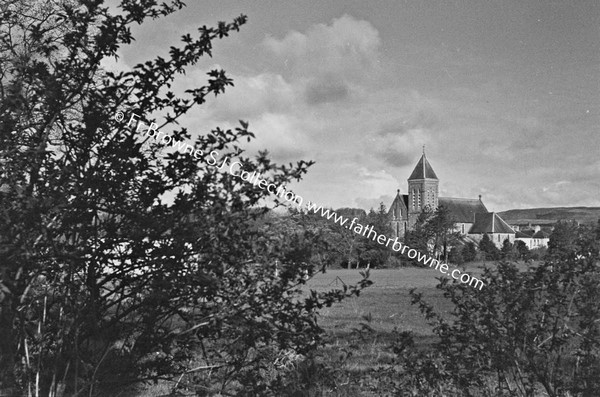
(388, 305)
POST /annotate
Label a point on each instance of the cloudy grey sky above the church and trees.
(504, 95)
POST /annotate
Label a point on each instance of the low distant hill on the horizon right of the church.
(584, 215)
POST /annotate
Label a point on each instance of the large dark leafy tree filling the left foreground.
(104, 283)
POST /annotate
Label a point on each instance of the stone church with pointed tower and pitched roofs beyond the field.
(471, 218)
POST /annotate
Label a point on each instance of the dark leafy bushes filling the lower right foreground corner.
(524, 333)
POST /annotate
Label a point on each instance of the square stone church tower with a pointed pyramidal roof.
(422, 189)
